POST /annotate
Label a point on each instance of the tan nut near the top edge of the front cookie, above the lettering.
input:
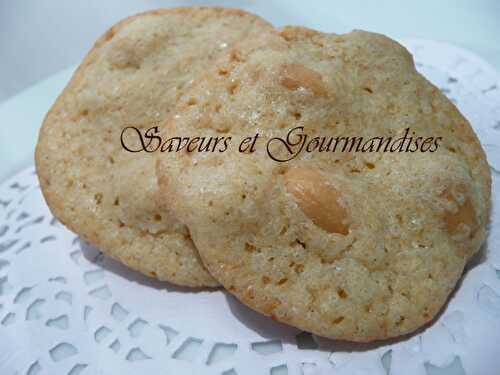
(294, 76)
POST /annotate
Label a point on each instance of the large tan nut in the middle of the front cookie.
(317, 199)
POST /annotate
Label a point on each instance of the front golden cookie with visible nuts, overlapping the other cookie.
(349, 245)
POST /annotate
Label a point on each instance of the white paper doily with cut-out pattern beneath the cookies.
(66, 309)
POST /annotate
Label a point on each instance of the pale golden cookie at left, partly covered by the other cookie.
(132, 77)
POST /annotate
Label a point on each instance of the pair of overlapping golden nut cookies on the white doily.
(348, 245)
